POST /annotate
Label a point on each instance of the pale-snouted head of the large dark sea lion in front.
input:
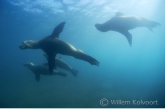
(27, 44)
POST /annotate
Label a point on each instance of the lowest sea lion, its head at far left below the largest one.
(42, 70)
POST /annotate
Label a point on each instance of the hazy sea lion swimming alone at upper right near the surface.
(122, 24)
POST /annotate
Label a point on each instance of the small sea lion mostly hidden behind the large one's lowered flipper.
(63, 65)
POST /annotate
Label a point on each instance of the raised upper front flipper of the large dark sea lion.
(57, 30)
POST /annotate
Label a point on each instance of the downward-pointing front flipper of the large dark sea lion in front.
(51, 62)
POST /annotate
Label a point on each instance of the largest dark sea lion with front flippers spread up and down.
(51, 45)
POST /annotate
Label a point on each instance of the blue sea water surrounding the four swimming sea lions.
(125, 73)
